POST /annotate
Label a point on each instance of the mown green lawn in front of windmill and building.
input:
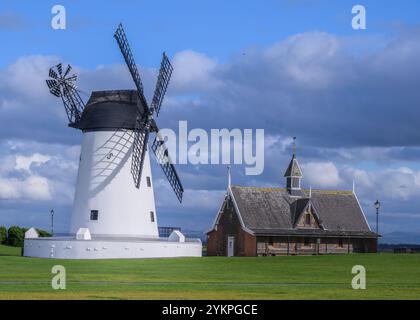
(389, 276)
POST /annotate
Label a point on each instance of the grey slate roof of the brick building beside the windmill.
(274, 211)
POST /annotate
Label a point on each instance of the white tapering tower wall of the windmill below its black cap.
(105, 183)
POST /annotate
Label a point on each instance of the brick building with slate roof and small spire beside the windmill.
(256, 221)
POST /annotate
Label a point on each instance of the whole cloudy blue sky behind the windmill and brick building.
(292, 68)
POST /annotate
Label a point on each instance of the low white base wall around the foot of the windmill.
(70, 248)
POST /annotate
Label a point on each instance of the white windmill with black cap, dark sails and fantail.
(108, 207)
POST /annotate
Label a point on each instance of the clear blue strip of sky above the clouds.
(218, 28)
